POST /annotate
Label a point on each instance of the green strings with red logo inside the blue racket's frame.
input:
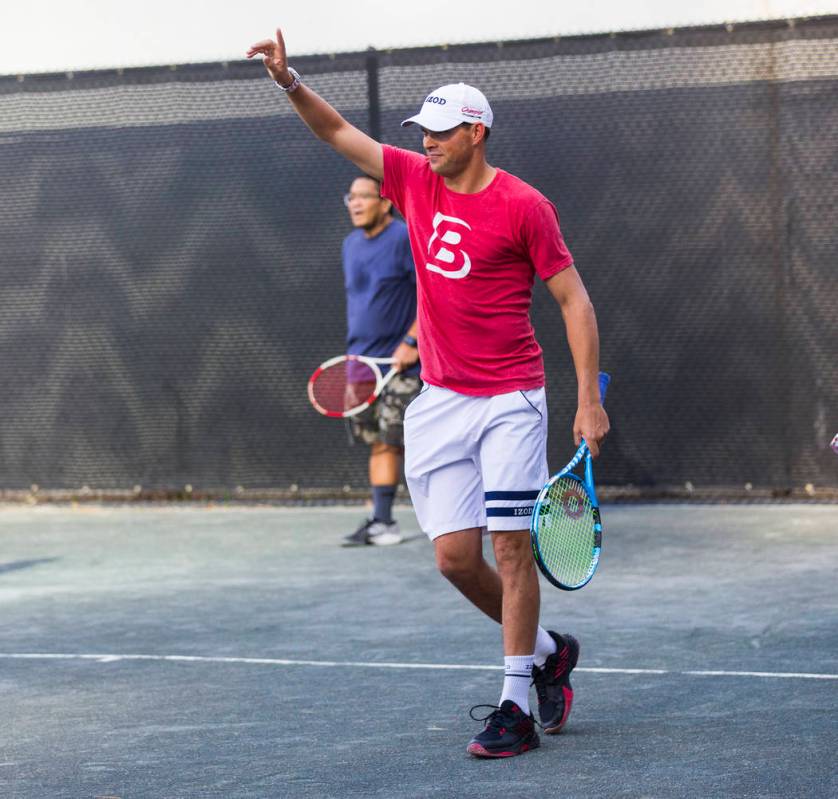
(566, 532)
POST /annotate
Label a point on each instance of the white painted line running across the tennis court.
(102, 658)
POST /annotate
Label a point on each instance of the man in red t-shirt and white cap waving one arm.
(475, 437)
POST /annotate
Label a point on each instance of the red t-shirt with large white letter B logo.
(476, 256)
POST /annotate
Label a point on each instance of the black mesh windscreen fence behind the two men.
(170, 250)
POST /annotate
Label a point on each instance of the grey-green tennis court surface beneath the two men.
(184, 651)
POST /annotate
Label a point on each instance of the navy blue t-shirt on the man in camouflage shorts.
(380, 283)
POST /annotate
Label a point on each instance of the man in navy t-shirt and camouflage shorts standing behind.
(380, 283)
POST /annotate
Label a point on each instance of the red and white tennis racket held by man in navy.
(348, 384)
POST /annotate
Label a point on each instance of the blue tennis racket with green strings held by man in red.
(566, 531)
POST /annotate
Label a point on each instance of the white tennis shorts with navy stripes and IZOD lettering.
(475, 461)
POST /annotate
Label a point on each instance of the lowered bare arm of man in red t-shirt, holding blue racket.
(591, 422)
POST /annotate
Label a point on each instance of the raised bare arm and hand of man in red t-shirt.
(326, 123)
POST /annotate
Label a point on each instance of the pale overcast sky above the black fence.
(56, 35)
